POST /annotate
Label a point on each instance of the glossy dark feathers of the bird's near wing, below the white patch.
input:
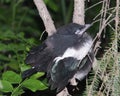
(61, 72)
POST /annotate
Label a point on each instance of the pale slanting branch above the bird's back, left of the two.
(44, 14)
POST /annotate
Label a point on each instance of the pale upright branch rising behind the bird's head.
(79, 9)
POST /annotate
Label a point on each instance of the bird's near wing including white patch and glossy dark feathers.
(65, 66)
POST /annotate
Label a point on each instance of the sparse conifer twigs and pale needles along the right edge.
(106, 78)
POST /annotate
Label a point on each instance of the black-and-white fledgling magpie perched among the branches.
(66, 54)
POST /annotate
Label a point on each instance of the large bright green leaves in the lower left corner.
(10, 78)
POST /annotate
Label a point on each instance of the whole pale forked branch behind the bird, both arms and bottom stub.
(78, 17)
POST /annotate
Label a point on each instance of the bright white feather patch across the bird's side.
(79, 53)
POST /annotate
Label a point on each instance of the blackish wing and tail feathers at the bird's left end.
(39, 57)
